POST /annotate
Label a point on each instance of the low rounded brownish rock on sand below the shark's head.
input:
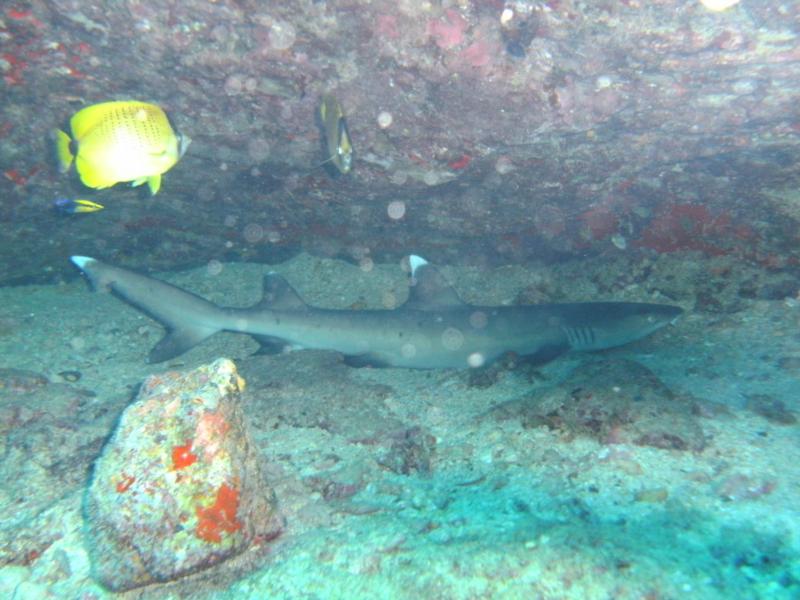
(614, 401)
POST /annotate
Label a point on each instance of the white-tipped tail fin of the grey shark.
(189, 318)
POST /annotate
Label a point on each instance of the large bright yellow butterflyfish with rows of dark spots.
(113, 142)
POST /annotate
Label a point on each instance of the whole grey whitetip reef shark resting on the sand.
(433, 329)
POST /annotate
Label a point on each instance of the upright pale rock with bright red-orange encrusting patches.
(177, 488)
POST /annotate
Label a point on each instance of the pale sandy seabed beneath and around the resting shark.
(397, 483)
